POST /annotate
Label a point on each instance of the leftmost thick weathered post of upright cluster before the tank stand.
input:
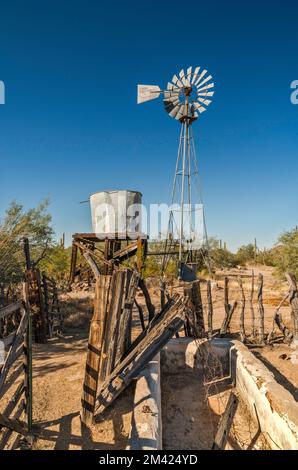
(96, 334)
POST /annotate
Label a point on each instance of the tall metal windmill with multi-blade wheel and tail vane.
(186, 97)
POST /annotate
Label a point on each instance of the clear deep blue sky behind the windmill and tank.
(71, 126)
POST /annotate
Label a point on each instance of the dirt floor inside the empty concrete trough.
(190, 417)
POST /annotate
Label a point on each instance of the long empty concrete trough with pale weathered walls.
(271, 407)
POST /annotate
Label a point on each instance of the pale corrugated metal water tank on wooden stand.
(116, 212)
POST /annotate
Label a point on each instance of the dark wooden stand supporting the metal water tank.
(116, 249)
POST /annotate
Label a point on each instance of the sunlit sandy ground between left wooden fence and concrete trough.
(58, 377)
